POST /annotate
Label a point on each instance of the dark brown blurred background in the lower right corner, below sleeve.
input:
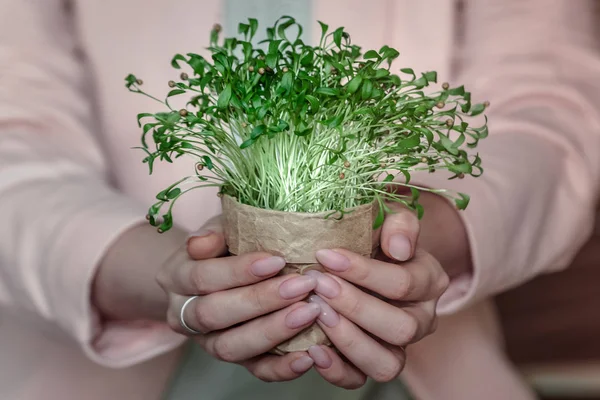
(552, 327)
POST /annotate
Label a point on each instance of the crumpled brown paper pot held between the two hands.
(296, 237)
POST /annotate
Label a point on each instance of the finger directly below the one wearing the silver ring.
(260, 335)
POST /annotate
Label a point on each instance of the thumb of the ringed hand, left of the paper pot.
(208, 241)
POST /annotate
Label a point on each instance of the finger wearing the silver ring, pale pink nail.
(226, 308)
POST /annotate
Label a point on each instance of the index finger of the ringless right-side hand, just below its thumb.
(421, 278)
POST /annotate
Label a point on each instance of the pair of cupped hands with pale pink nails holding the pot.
(369, 308)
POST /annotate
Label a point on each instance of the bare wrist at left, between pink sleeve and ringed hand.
(125, 286)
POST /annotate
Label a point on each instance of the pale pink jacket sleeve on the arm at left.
(59, 212)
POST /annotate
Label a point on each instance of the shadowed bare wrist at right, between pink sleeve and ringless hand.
(443, 234)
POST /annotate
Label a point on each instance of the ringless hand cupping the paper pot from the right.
(371, 327)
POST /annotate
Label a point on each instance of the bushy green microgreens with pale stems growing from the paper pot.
(283, 125)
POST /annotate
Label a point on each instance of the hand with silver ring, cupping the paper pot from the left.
(244, 309)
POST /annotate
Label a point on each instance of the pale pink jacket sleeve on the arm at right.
(535, 61)
